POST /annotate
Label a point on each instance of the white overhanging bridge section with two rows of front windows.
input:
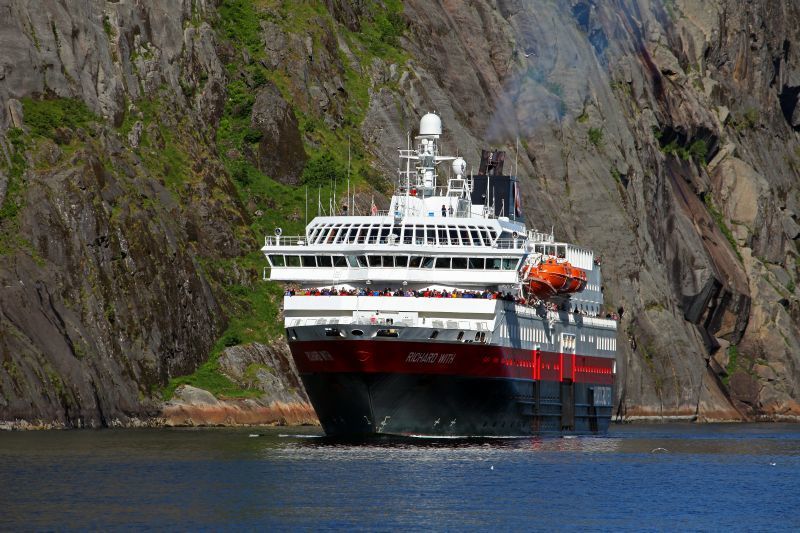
(420, 251)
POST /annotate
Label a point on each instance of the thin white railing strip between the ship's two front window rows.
(303, 240)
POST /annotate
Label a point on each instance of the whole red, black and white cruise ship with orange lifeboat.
(446, 316)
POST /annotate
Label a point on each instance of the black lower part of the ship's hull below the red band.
(362, 405)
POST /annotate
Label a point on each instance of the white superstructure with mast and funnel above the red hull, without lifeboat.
(448, 251)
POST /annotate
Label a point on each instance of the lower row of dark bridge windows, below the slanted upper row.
(395, 261)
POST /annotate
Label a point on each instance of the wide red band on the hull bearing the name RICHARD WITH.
(479, 360)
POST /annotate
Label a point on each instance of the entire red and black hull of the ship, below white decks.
(368, 388)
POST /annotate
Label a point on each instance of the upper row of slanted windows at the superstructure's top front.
(411, 234)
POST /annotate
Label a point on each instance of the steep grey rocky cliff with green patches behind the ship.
(146, 148)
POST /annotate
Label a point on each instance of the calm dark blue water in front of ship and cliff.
(639, 477)
